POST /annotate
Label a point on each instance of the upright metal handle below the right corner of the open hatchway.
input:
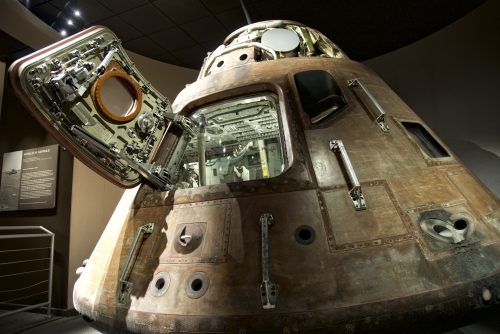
(268, 290)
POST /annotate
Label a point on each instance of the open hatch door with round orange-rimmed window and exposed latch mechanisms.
(88, 94)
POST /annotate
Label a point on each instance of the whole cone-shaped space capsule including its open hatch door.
(288, 189)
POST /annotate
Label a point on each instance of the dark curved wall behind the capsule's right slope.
(451, 79)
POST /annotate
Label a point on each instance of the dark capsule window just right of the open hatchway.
(319, 93)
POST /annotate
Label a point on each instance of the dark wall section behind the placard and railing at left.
(19, 131)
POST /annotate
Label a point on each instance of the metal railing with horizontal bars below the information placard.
(22, 267)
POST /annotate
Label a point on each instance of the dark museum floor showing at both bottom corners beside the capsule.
(33, 323)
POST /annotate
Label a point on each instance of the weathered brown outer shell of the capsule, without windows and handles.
(365, 270)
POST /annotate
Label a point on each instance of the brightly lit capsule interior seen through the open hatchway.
(237, 140)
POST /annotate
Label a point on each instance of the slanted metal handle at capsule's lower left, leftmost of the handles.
(142, 234)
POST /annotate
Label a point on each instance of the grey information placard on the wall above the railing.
(29, 179)
